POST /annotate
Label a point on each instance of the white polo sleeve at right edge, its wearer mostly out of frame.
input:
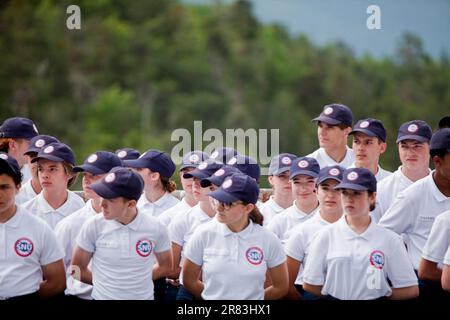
(438, 240)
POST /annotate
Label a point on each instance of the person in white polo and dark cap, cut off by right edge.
(414, 210)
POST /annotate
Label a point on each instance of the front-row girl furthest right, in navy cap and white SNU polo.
(353, 258)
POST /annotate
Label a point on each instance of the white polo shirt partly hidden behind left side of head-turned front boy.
(66, 232)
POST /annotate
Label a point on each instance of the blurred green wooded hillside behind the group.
(137, 70)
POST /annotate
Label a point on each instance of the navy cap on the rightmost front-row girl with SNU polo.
(360, 179)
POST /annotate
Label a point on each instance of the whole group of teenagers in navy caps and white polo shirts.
(183, 247)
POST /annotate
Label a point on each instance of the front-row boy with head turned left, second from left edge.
(123, 243)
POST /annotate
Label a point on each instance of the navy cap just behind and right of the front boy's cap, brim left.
(156, 161)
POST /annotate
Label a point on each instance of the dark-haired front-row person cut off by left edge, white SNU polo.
(29, 251)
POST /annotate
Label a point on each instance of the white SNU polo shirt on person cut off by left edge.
(26, 244)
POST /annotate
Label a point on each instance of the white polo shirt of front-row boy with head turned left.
(123, 255)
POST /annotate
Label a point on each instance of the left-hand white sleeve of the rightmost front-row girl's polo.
(314, 271)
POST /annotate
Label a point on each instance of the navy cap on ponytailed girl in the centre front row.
(237, 187)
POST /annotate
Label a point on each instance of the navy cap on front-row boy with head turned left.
(120, 182)
